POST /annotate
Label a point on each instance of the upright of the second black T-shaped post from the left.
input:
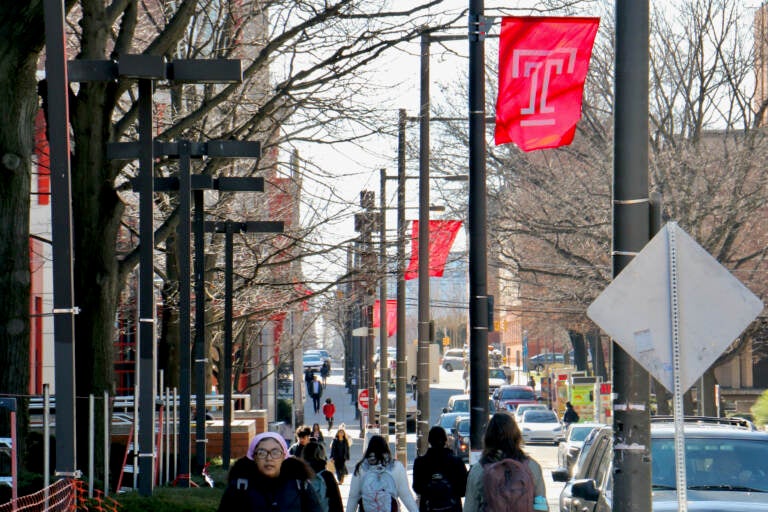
(183, 232)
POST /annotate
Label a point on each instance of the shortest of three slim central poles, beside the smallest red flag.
(383, 338)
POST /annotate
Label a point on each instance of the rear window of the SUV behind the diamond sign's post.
(712, 464)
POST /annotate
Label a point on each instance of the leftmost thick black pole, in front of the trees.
(64, 309)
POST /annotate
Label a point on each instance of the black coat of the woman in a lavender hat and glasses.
(250, 491)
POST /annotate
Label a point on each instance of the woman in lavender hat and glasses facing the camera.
(267, 479)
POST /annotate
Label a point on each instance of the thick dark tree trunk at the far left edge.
(21, 39)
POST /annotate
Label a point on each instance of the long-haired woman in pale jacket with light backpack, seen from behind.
(378, 481)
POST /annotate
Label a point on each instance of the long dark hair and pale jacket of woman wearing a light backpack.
(378, 459)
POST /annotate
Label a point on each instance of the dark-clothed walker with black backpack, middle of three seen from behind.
(439, 477)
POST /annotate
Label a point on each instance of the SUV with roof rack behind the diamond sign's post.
(726, 469)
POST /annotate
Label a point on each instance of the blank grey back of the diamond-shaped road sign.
(636, 308)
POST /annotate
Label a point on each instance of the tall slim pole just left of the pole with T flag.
(422, 354)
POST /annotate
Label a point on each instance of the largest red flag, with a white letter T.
(543, 62)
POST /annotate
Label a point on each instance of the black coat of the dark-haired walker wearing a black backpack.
(439, 460)
